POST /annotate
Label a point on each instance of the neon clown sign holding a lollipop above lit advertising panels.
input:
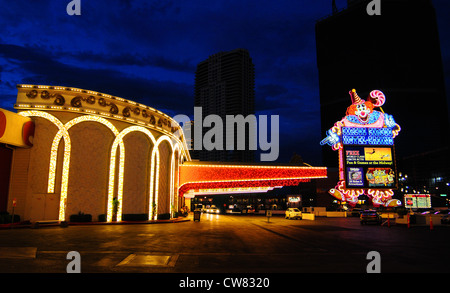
(364, 139)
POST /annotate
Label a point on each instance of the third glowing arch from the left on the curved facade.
(118, 142)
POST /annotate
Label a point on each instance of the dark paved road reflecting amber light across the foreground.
(228, 244)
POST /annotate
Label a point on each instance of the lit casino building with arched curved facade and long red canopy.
(71, 151)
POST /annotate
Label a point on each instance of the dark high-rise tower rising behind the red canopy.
(225, 85)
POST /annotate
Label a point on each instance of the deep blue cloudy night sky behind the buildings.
(147, 51)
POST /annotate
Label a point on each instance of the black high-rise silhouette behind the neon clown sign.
(397, 52)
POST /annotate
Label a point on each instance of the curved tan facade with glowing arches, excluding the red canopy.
(96, 154)
